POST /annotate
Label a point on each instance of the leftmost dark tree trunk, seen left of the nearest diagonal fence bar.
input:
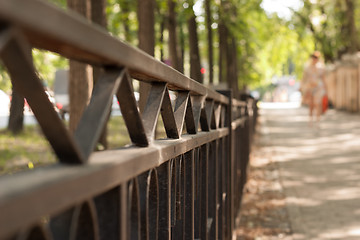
(16, 118)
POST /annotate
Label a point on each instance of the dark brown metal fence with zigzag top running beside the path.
(187, 186)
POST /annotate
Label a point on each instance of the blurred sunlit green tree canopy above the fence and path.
(263, 44)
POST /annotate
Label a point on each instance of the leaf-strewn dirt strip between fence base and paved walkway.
(263, 214)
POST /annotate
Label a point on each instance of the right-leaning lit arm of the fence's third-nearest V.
(180, 109)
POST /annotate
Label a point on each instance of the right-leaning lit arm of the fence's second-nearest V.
(152, 108)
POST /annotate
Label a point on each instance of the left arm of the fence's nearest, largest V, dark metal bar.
(16, 55)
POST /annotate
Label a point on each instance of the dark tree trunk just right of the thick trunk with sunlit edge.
(98, 16)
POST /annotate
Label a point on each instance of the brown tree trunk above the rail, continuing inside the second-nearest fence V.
(146, 18)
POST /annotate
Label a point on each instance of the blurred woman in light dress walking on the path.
(313, 87)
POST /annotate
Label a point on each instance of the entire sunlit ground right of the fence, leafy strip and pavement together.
(304, 180)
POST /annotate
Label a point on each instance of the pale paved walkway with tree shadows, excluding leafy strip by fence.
(319, 169)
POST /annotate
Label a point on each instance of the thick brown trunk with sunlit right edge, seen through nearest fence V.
(80, 75)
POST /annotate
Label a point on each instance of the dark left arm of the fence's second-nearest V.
(130, 112)
